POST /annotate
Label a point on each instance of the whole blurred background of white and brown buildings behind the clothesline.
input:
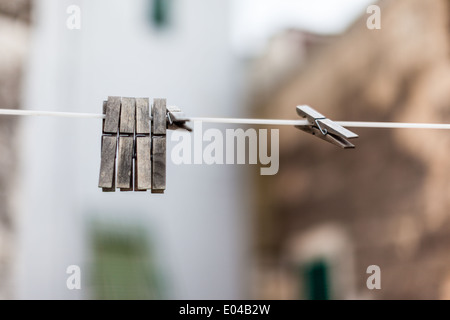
(224, 232)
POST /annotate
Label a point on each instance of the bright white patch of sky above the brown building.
(256, 21)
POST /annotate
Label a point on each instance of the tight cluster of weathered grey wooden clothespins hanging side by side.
(134, 136)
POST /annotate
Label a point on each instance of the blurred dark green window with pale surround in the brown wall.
(322, 263)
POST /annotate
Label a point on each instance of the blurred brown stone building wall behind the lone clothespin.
(330, 213)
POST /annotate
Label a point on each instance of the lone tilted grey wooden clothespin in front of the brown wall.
(324, 128)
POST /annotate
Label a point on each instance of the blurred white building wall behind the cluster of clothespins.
(197, 229)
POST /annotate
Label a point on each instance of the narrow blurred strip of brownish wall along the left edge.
(14, 29)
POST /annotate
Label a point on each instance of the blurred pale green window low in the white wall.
(122, 264)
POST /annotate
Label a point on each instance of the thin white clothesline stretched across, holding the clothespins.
(275, 122)
